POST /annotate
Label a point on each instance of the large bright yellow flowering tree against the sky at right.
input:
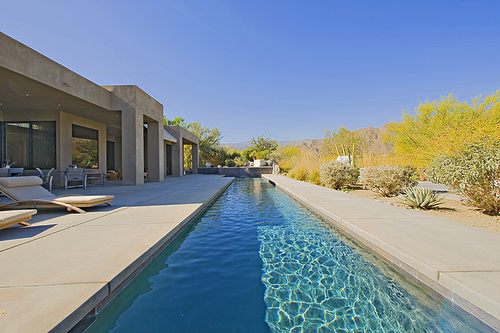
(440, 127)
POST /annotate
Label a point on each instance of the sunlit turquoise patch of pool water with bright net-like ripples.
(316, 283)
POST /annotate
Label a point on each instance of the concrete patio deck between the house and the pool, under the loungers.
(65, 265)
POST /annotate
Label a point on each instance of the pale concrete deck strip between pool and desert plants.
(461, 263)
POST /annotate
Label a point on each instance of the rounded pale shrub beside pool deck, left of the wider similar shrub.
(337, 175)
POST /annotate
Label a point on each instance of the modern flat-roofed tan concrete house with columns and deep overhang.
(52, 117)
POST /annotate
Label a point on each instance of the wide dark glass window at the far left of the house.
(30, 144)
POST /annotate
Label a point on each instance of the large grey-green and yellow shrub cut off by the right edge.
(472, 172)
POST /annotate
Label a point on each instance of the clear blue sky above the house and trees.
(289, 69)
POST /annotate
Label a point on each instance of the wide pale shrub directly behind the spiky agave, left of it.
(386, 180)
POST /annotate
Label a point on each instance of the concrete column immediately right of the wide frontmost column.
(155, 152)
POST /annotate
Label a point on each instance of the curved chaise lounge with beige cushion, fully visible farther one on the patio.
(27, 191)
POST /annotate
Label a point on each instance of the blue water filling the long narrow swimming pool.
(256, 261)
